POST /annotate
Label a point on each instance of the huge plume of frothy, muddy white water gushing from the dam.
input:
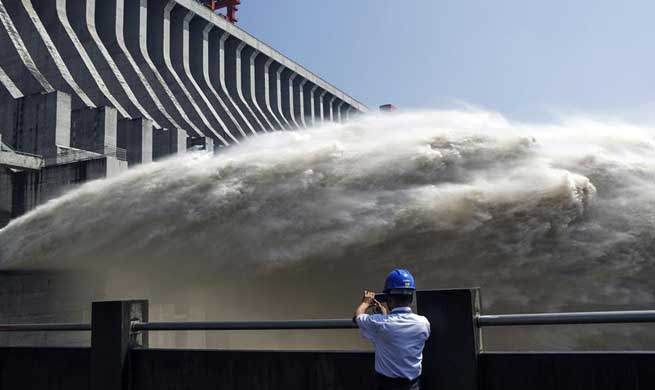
(542, 217)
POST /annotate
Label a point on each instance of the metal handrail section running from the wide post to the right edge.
(573, 318)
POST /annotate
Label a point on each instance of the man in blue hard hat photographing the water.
(398, 335)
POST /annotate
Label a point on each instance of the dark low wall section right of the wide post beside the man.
(567, 370)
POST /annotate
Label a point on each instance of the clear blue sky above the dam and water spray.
(526, 59)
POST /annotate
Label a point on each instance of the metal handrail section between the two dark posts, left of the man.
(245, 325)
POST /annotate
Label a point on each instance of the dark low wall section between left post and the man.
(245, 370)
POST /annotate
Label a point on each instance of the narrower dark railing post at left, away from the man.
(111, 340)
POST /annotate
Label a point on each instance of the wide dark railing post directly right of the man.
(450, 358)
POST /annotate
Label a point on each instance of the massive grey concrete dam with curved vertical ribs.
(90, 88)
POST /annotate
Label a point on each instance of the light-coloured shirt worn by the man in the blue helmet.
(398, 338)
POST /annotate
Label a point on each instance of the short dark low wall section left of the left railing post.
(45, 369)
